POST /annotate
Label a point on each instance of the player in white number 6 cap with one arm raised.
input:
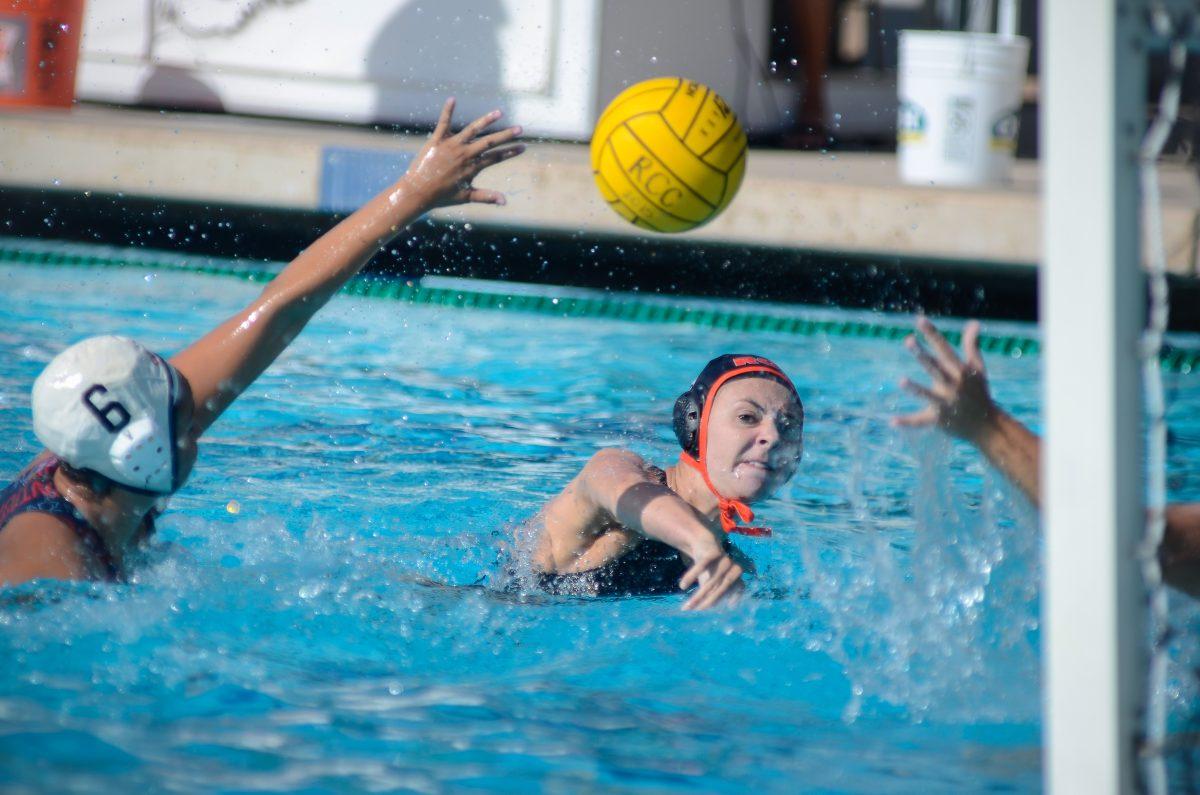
(121, 423)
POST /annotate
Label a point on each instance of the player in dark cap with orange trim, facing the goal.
(625, 528)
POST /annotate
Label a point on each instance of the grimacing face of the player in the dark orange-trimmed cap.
(755, 438)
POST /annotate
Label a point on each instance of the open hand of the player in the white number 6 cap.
(448, 164)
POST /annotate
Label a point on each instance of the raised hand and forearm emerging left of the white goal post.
(961, 404)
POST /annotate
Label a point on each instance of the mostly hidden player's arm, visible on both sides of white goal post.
(959, 403)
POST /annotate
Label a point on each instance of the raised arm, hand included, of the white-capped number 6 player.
(231, 357)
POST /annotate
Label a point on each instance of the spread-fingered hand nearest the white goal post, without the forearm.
(959, 399)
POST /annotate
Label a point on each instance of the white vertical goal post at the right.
(1093, 310)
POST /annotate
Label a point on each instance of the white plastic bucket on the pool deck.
(961, 95)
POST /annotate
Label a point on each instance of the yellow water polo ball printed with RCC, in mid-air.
(669, 154)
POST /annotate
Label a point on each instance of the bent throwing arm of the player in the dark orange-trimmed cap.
(619, 482)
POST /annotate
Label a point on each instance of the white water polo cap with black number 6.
(107, 405)
